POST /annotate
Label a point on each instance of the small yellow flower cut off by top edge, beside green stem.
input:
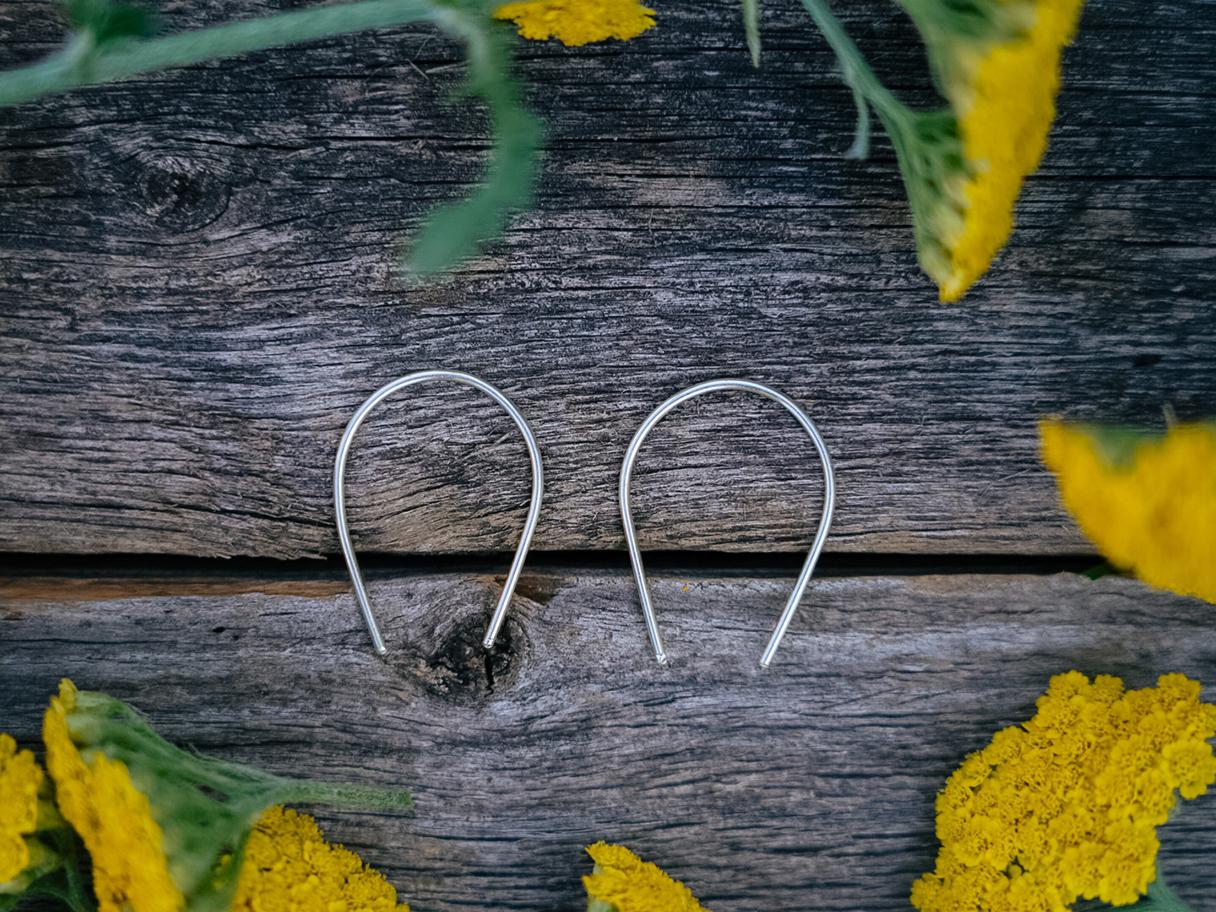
(578, 22)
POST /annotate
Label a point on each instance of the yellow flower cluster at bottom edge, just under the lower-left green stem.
(289, 868)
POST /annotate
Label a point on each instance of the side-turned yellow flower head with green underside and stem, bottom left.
(166, 829)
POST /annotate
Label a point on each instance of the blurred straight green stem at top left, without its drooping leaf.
(83, 64)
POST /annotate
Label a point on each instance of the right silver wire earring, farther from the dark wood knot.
(635, 555)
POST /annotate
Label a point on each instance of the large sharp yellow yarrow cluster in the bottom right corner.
(1067, 806)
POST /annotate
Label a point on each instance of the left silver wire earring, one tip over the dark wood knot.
(340, 498)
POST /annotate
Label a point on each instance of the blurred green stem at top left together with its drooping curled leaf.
(112, 41)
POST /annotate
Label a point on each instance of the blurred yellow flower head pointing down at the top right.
(1001, 78)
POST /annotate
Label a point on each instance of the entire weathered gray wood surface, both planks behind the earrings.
(196, 291)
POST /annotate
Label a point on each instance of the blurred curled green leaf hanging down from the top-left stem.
(455, 233)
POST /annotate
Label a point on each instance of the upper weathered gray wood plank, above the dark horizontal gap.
(196, 292)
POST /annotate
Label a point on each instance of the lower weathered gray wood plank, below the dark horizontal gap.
(809, 786)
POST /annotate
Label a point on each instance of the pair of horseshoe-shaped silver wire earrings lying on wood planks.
(635, 555)
